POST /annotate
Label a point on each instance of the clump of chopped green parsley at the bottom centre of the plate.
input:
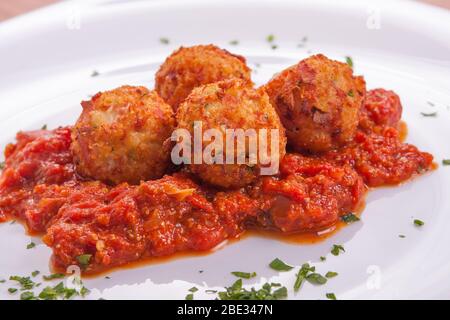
(267, 292)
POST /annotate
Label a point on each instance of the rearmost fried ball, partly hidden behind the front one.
(191, 67)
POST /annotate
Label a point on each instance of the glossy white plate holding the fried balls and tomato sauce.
(47, 58)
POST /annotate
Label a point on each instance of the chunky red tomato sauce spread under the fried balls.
(125, 223)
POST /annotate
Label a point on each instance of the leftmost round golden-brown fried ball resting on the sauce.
(121, 136)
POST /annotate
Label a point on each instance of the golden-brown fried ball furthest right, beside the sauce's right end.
(318, 101)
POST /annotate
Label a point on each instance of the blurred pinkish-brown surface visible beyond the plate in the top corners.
(11, 8)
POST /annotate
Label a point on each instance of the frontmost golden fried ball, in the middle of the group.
(231, 104)
